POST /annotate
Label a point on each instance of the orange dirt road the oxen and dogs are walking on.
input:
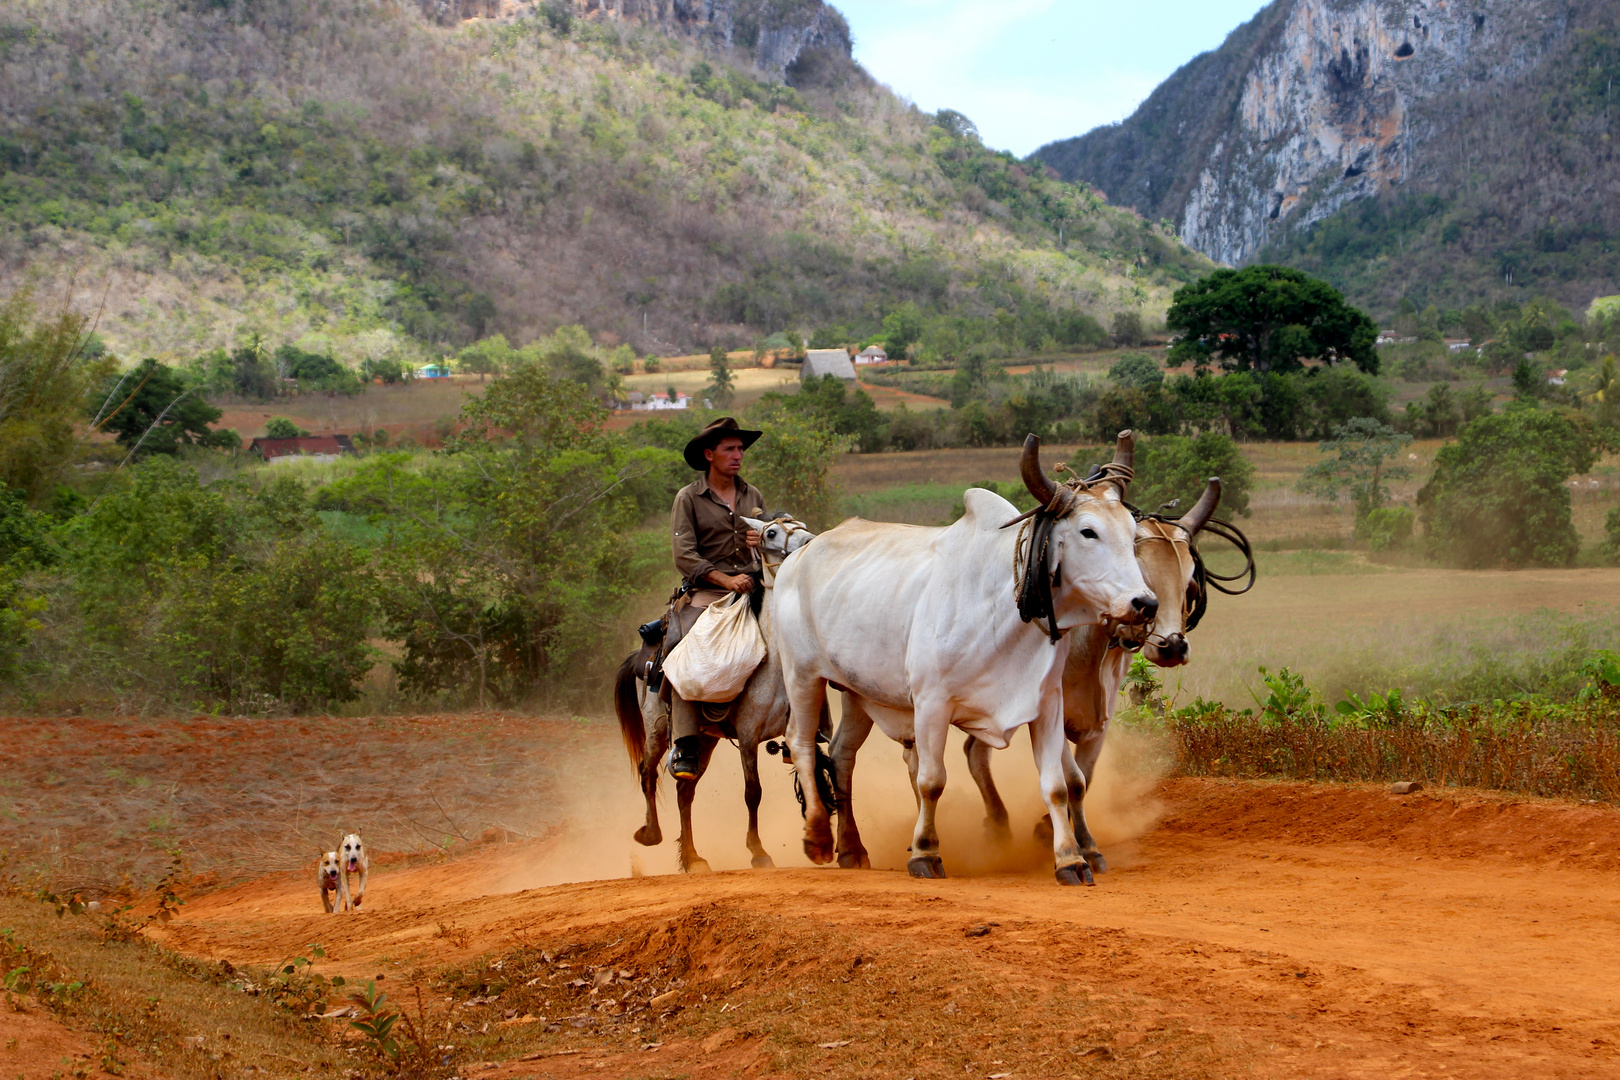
(1269, 930)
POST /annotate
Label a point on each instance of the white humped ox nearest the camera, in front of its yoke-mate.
(921, 627)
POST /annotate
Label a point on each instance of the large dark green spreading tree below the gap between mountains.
(1268, 318)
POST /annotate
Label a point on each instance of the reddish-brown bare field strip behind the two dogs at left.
(96, 802)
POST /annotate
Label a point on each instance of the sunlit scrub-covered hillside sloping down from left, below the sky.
(367, 177)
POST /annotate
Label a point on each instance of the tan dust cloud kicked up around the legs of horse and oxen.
(605, 809)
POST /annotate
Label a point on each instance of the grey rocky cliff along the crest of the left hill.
(772, 35)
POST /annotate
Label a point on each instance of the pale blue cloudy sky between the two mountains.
(1030, 72)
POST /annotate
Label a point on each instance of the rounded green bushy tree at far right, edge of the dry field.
(1498, 496)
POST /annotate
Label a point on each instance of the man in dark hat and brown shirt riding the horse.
(717, 553)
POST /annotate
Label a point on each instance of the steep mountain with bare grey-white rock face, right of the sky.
(1439, 150)
